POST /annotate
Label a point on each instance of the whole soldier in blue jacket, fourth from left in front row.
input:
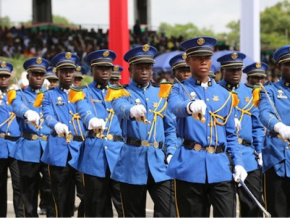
(98, 155)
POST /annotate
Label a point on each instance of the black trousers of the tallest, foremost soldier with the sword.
(192, 199)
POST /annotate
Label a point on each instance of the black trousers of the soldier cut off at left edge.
(12, 164)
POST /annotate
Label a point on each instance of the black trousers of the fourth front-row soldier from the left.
(98, 195)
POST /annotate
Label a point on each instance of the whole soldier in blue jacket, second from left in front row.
(34, 135)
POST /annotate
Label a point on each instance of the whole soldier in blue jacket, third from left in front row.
(66, 137)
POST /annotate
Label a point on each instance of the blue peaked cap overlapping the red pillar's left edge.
(101, 58)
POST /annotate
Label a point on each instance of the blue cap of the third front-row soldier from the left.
(65, 60)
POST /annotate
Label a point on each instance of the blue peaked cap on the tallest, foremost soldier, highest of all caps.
(199, 46)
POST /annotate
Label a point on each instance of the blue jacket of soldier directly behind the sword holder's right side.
(251, 128)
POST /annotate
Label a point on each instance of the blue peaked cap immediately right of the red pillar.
(141, 54)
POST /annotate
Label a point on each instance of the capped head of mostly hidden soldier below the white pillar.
(256, 74)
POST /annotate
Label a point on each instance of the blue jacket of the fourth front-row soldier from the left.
(97, 154)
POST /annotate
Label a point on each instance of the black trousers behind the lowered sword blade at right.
(248, 207)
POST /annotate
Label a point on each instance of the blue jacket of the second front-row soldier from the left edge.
(29, 150)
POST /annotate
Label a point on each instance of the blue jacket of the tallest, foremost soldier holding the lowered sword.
(201, 166)
